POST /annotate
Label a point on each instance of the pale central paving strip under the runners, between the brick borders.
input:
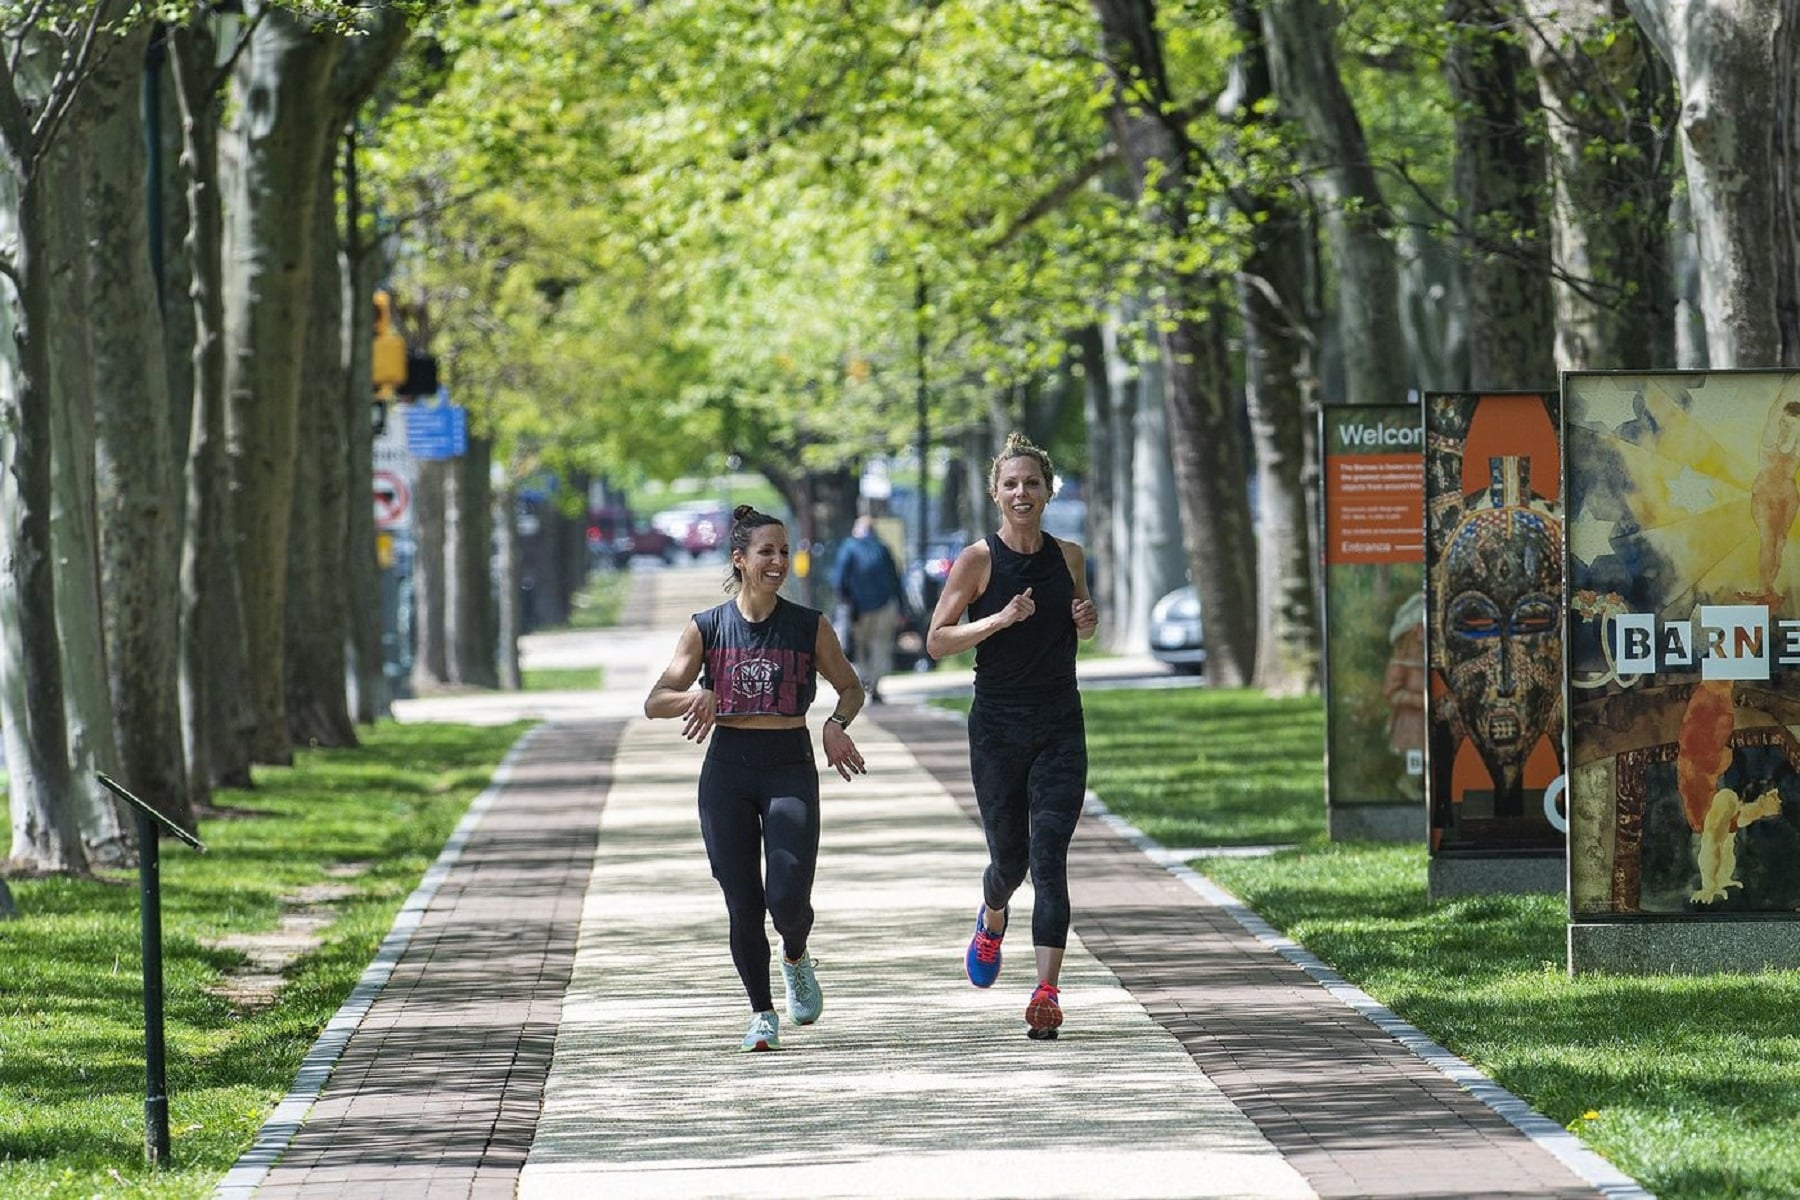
(913, 1084)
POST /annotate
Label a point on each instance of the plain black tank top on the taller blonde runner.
(1032, 661)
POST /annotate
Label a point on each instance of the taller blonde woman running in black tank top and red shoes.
(1025, 598)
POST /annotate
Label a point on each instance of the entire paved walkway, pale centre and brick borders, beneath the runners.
(555, 1016)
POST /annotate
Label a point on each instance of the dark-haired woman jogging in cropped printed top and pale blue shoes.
(757, 659)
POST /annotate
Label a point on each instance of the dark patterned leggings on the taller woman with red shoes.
(1030, 773)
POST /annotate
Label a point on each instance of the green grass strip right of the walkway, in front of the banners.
(1691, 1086)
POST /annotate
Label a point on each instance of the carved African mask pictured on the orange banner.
(1504, 631)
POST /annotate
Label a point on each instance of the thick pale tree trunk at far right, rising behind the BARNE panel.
(1723, 55)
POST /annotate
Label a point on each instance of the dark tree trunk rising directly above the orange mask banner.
(1500, 201)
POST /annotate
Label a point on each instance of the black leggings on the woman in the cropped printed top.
(760, 823)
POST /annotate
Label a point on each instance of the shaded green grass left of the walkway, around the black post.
(368, 821)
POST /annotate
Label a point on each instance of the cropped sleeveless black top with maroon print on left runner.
(760, 668)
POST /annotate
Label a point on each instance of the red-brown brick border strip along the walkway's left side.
(438, 1089)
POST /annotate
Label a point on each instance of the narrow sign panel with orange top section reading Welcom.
(1374, 605)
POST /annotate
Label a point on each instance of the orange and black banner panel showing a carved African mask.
(1493, 620)
